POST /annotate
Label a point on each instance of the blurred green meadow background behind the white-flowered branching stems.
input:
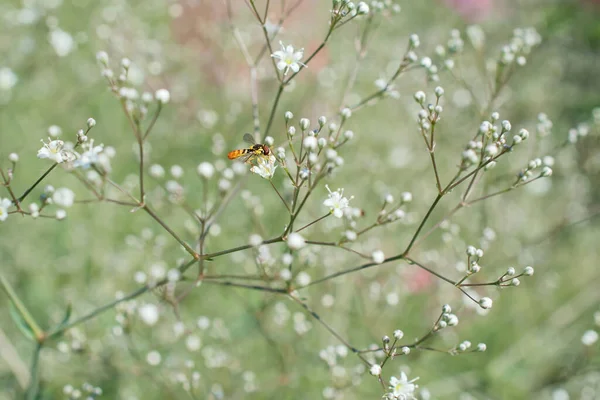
(49, 76)
